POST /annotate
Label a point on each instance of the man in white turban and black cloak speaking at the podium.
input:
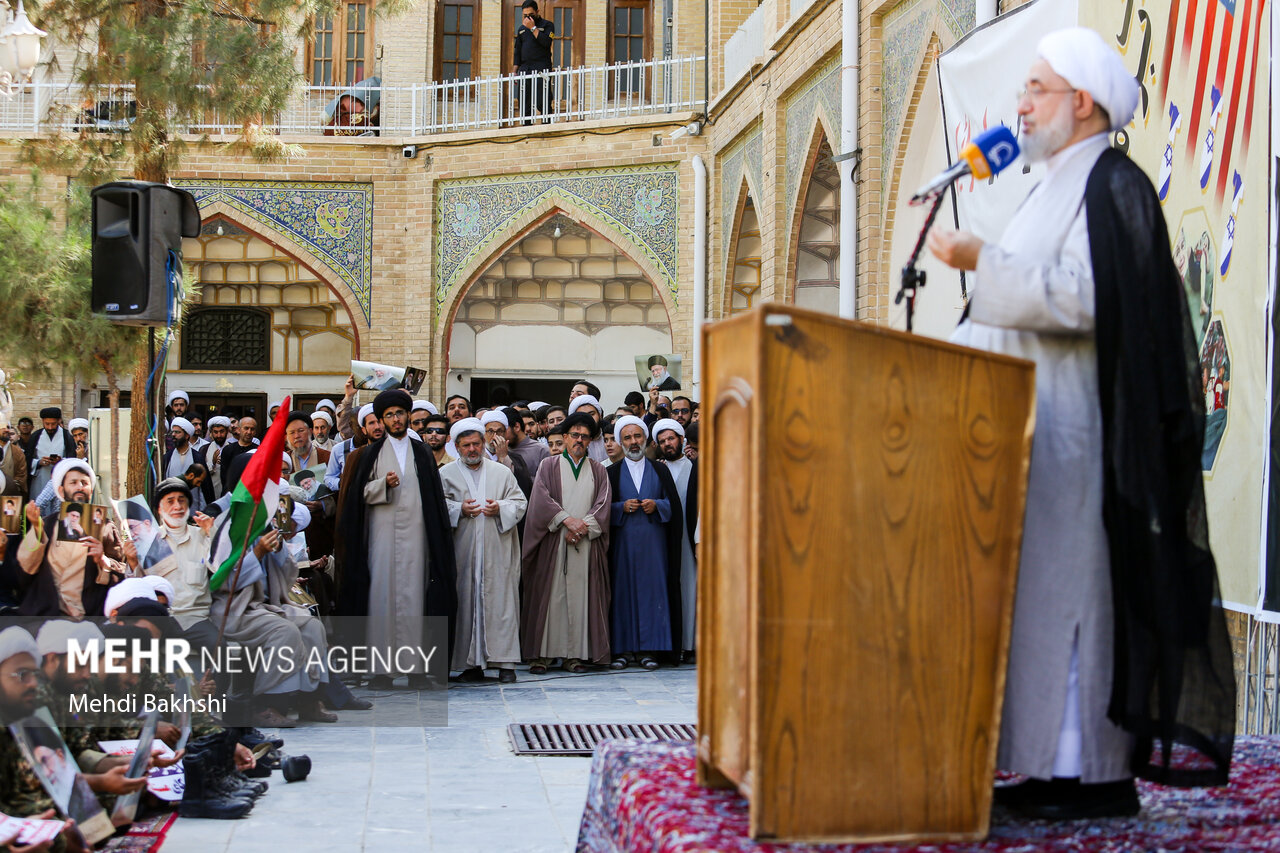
(1116, 636)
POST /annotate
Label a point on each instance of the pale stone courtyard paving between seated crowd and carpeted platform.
(445, 790)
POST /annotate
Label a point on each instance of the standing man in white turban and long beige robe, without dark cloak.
(486, 505)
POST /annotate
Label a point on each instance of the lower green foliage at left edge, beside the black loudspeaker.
(45, 286)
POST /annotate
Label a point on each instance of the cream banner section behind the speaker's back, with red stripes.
(1201, 134)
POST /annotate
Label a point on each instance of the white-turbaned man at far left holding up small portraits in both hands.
(68, 578)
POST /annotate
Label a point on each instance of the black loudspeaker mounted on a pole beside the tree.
(138, 245)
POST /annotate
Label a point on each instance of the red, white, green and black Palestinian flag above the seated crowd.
(254, 503)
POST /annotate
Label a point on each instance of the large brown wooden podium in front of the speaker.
(861, 531)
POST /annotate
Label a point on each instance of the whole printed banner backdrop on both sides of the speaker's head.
(1201, 135)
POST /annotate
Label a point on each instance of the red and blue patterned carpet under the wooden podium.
(643, 797)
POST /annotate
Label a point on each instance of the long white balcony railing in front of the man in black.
(623, 90)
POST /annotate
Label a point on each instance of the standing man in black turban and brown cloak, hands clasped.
(565, 613)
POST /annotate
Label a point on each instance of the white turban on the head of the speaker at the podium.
(1084, 60)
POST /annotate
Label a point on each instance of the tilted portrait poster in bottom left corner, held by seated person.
(49, 758)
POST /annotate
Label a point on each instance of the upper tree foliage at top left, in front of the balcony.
(191, 63)
